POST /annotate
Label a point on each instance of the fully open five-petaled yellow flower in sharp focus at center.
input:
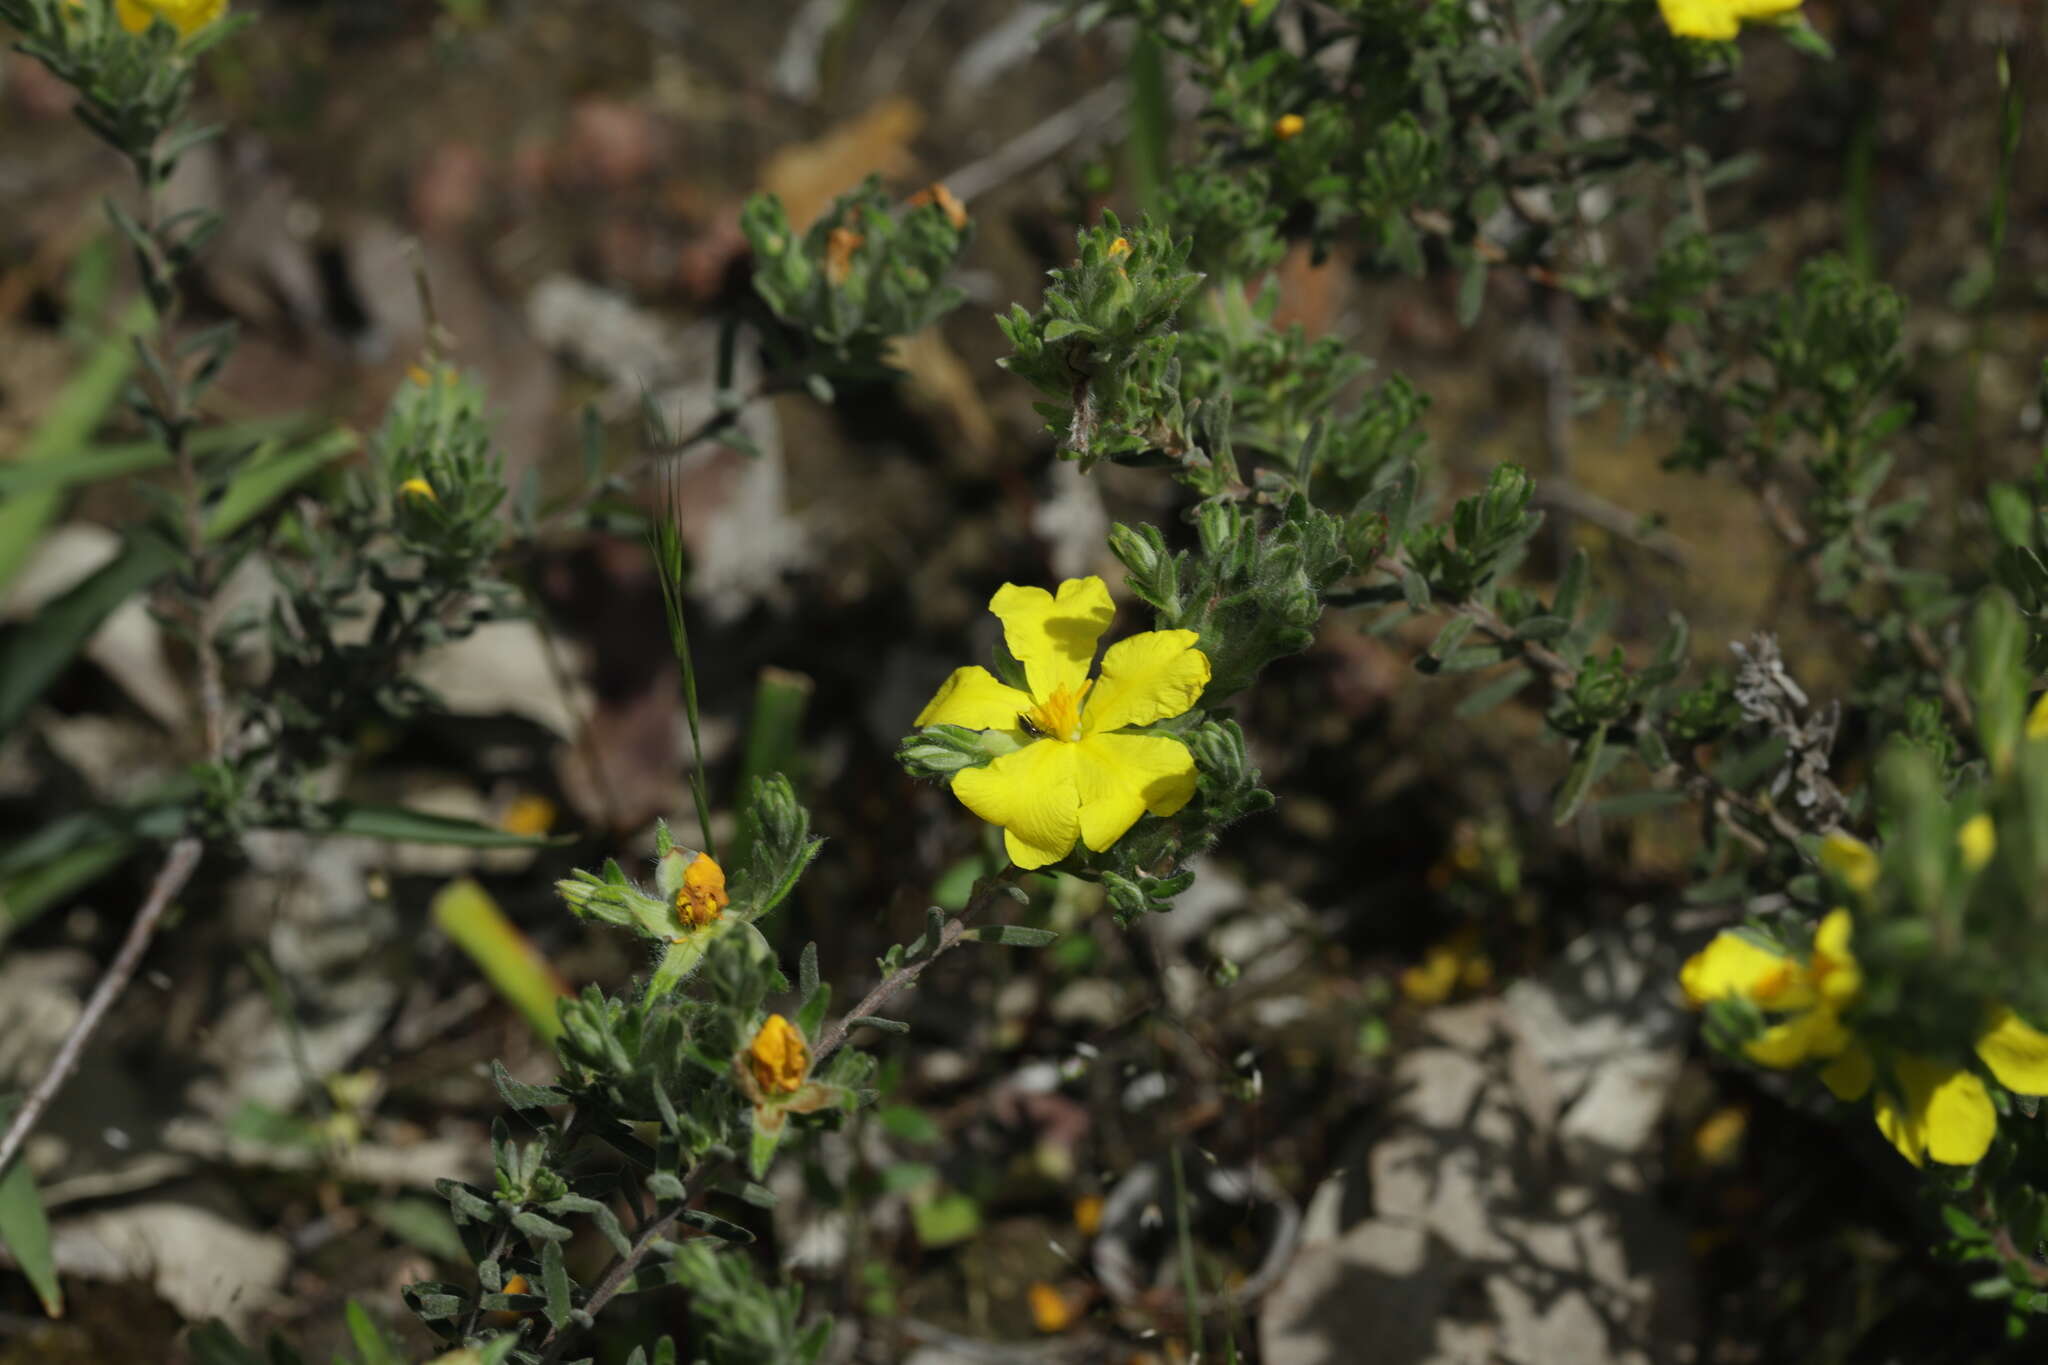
(1076, 775)
